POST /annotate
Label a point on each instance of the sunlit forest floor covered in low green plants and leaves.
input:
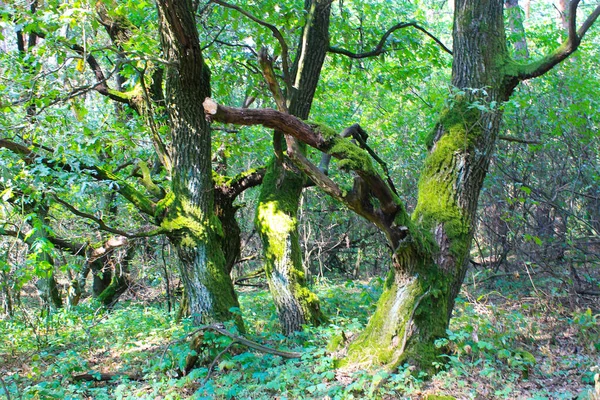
(511, 338)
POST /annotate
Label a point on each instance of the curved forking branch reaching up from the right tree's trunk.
(540, 67)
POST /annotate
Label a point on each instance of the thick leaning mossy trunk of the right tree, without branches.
(416, 306)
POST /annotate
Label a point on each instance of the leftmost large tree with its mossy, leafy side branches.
(182, 208)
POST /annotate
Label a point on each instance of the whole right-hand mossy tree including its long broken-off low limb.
(431, 246)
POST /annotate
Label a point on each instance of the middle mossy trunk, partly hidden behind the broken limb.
(276, 216)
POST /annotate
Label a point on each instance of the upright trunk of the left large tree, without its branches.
(188, 209)
